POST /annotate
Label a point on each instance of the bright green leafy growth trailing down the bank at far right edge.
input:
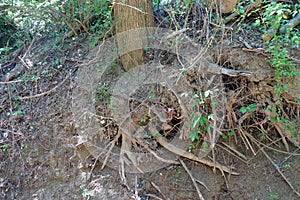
(275, 16)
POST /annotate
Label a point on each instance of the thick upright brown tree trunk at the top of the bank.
(128, 15)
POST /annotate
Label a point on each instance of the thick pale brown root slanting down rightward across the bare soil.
(191, 156)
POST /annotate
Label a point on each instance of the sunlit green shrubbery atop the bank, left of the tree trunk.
(24, 20)
